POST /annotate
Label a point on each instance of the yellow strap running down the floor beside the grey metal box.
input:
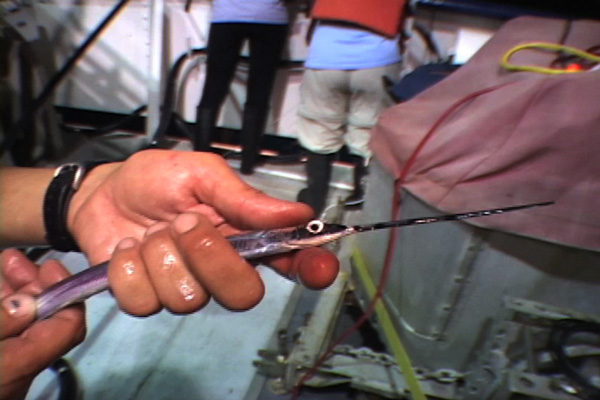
(388, 328)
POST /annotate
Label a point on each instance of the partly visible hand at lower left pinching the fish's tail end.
(27, 349)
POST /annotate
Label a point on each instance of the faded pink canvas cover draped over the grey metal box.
(537, 138)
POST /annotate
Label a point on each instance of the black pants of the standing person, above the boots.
(224, 44)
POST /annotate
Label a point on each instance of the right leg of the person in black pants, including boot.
(266, 45)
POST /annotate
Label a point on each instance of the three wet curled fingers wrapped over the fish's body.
(180, 267)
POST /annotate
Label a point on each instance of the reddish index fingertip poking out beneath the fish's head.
(315, 268)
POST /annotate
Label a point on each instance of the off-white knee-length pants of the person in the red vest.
(340, 107)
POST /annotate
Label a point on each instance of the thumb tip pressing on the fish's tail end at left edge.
(16, 314)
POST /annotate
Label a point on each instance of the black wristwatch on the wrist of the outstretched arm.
(67, 180)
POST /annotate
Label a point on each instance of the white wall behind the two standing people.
(113, 74)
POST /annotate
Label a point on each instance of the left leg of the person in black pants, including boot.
(223, 49)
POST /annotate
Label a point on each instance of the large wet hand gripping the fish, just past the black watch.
(163, 216)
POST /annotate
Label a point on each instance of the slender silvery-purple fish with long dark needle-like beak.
(250, 245)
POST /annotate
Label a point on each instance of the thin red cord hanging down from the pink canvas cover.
(392, 240)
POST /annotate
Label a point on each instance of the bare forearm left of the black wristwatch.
(21, 197)
